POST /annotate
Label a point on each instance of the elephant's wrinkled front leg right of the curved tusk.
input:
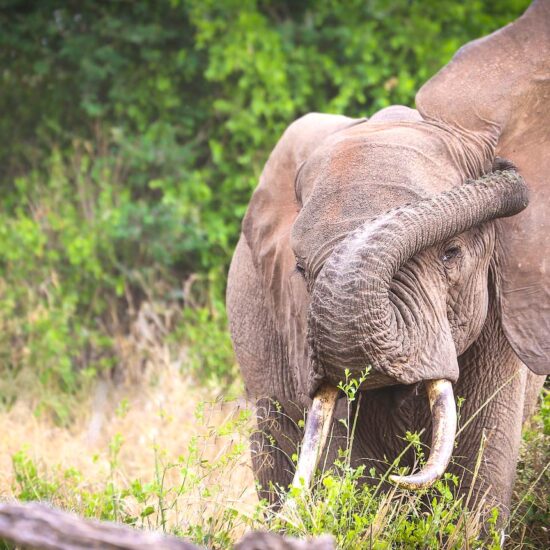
(493, 384)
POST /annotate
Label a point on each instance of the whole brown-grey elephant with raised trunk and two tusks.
(412, 243)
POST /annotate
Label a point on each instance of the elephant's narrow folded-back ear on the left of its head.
(267, 224)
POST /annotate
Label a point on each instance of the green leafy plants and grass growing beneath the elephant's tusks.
(374, 515)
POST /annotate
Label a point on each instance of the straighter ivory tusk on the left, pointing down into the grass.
(318, 424)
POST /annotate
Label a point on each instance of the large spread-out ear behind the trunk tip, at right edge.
(495, 94)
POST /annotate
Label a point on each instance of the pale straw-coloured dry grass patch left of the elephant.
(159, 426)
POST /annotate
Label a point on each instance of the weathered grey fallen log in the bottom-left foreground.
(39, 526)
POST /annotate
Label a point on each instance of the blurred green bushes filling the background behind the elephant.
(132, 135)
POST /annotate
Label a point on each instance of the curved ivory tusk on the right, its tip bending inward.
(442, 405)
